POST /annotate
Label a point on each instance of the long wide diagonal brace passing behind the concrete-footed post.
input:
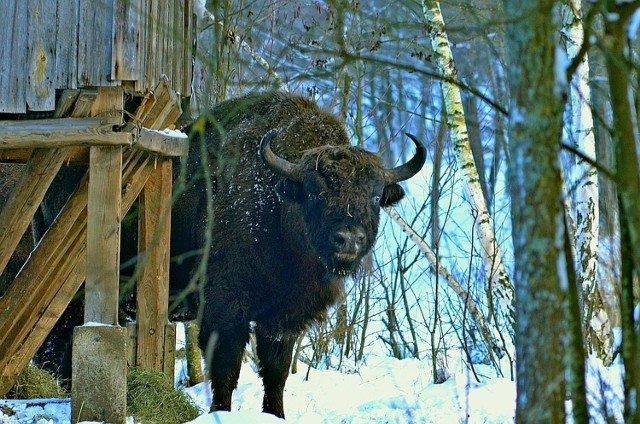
(53, 273)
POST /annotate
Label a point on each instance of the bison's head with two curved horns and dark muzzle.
(340, 190)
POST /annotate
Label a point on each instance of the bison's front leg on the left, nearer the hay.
(223, 350)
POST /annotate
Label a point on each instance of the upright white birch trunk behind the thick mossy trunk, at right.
(586, 212)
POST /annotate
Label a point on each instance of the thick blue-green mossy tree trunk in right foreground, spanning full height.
(540, 275)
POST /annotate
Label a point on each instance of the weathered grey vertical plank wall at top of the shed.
(67, 44)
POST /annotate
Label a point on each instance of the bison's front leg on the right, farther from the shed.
(274, 355)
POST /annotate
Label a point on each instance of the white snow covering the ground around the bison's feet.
(384, 390)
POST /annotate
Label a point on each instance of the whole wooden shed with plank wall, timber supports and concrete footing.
(90, 82)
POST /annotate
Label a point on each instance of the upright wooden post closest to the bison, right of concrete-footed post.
(152, 300)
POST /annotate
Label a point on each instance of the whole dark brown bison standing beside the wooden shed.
(295, 208)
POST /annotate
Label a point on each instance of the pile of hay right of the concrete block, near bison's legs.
(151, 398)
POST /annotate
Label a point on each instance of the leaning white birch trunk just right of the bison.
(501, 287)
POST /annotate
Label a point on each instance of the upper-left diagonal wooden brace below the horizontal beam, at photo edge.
(26, 197)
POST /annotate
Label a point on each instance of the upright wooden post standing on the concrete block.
(103, 235)
